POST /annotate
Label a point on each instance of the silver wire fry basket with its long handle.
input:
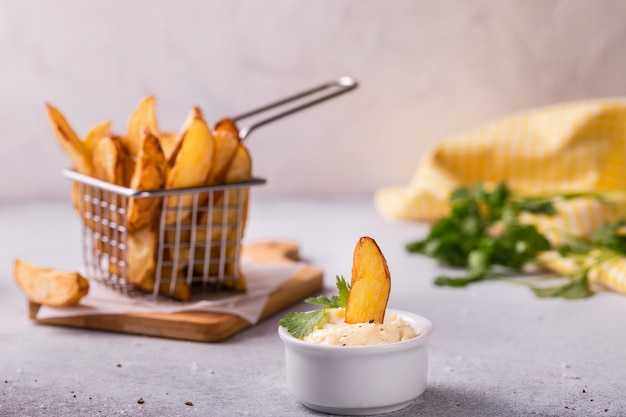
(197, 239)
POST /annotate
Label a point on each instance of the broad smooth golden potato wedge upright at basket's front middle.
(192, 161)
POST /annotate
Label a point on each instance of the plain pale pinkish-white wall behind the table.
(427, 69)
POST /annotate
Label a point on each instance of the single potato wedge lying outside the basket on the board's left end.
(49, 287)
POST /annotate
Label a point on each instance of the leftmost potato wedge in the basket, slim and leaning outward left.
(71, 144)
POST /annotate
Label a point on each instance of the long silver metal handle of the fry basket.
(337, 87)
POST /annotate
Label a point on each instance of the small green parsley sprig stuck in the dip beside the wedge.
(300, 324)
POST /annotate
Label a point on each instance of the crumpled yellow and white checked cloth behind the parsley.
(569, 147)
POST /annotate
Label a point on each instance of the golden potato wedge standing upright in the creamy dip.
(370, 285)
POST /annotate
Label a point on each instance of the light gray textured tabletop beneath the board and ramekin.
(496, 349)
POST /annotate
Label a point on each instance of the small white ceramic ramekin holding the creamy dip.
(359, 380)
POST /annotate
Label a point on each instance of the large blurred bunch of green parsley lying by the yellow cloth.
(484, 235)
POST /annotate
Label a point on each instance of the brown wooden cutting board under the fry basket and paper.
(204, 326)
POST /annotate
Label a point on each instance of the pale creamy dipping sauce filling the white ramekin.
(335, 331)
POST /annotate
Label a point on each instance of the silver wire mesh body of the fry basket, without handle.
(203, 263)
